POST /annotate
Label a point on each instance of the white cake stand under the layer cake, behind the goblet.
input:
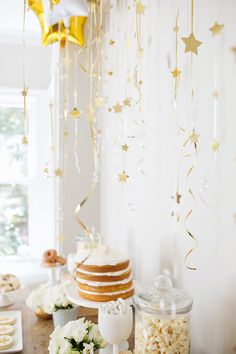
(75, 298)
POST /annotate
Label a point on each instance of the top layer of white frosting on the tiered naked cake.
(100, 256)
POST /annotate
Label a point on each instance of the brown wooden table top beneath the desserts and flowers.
(36, 332)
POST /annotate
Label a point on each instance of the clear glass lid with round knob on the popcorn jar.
(163, 299)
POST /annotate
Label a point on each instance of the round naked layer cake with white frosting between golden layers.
(104, 276)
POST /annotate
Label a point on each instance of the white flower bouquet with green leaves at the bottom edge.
(79, 336)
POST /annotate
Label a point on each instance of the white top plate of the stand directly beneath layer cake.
(76, 299)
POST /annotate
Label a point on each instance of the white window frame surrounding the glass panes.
(41, 197)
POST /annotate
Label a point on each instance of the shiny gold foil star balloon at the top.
(58, 32)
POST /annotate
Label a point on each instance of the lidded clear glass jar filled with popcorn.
(162, 320)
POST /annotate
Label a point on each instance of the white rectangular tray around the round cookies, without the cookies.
(17, 335)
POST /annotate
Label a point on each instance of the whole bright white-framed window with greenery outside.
(26, 195)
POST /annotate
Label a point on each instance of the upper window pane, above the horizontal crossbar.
(13, 155)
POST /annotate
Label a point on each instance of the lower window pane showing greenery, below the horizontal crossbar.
(13, 219)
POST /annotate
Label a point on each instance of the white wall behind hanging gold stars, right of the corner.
(154, 241)
